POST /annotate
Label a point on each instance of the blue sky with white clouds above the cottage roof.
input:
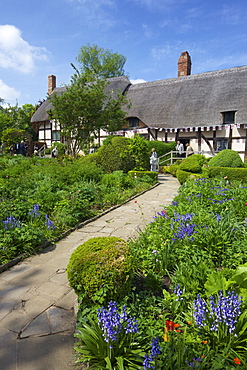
(39, 38)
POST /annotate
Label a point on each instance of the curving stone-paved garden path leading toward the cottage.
(37, 318)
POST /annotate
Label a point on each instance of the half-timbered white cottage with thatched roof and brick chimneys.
(209, 109)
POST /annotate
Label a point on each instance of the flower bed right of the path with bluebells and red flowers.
(189, 294)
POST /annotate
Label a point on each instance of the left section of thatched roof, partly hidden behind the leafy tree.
(116, 84)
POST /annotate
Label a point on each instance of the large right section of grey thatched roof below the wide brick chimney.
(190, 101)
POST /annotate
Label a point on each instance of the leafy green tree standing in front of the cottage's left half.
(85, 108)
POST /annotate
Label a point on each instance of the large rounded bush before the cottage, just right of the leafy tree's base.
(113, 156)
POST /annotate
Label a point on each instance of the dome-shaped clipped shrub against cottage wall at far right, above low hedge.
(226, 158)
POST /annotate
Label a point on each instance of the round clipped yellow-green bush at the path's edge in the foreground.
(100, 269)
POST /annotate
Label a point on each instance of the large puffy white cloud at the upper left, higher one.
(16, 53)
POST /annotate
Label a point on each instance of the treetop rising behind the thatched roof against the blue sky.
(100, 63)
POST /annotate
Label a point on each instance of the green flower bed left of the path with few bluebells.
(42, 198)
